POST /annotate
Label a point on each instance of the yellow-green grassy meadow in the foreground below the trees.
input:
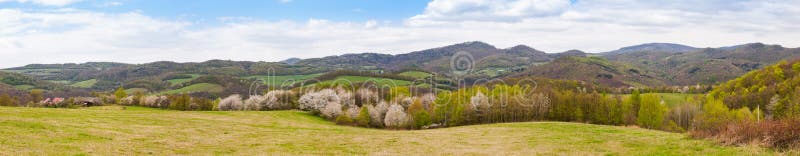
(136, 131)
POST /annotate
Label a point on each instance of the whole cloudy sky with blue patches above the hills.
(138, 31)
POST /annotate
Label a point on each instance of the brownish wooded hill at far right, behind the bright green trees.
(681, 66)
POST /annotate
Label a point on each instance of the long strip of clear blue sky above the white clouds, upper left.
(209, 10)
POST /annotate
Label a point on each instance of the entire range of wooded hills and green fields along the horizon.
(652, 64)
